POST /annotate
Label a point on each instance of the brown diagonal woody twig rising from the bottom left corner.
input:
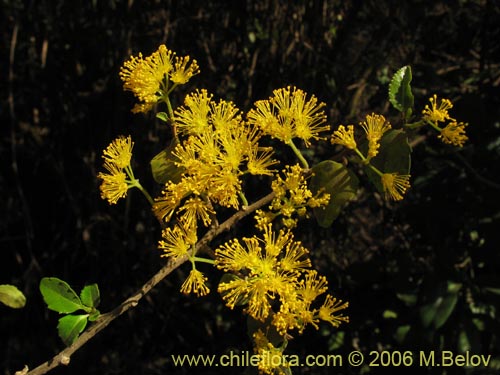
(63, 358)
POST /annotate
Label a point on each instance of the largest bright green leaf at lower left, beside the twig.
(59, 296)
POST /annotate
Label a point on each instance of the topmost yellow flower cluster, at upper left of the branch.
(152, 78)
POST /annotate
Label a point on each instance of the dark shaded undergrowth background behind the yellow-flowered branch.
(62, 103)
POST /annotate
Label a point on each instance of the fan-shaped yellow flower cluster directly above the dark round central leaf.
(288, 114)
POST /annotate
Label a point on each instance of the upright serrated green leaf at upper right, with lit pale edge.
(400, 94)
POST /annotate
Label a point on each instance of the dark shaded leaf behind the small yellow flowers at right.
(394, 157)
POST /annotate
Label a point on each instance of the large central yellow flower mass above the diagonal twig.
(220, 148)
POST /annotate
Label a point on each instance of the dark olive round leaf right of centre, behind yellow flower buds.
(333, 178)
